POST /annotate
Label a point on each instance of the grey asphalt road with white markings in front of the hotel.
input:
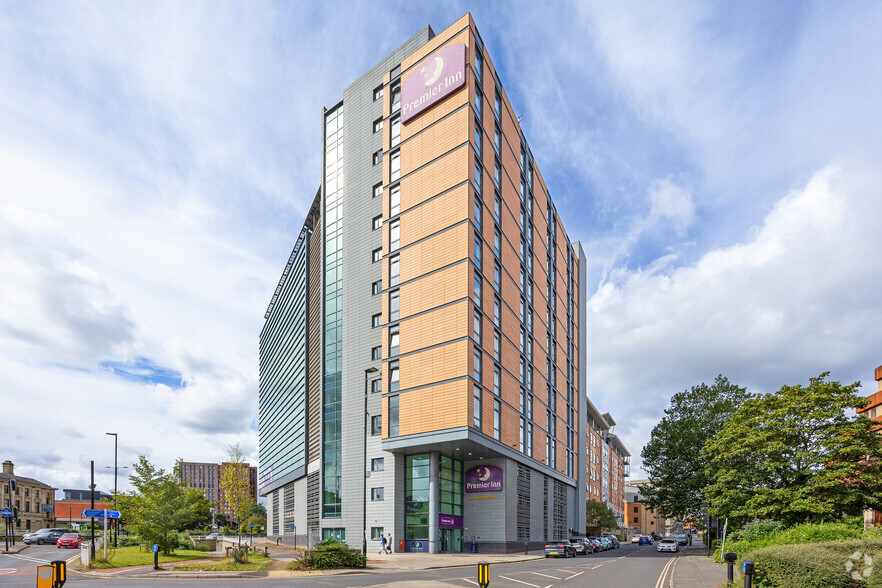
(631, 566)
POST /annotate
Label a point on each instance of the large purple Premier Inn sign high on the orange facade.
(433, 79)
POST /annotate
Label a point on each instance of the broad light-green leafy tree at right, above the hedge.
(796, 455)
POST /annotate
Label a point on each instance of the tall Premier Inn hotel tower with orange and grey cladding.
(421, 364)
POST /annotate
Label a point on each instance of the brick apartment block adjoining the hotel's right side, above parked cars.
(608, 463)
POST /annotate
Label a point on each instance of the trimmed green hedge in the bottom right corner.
(817, 565)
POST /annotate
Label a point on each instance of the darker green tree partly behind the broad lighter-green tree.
(672, 459)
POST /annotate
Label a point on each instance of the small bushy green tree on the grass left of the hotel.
(161, 505)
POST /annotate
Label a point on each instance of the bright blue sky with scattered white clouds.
(719, 162)
